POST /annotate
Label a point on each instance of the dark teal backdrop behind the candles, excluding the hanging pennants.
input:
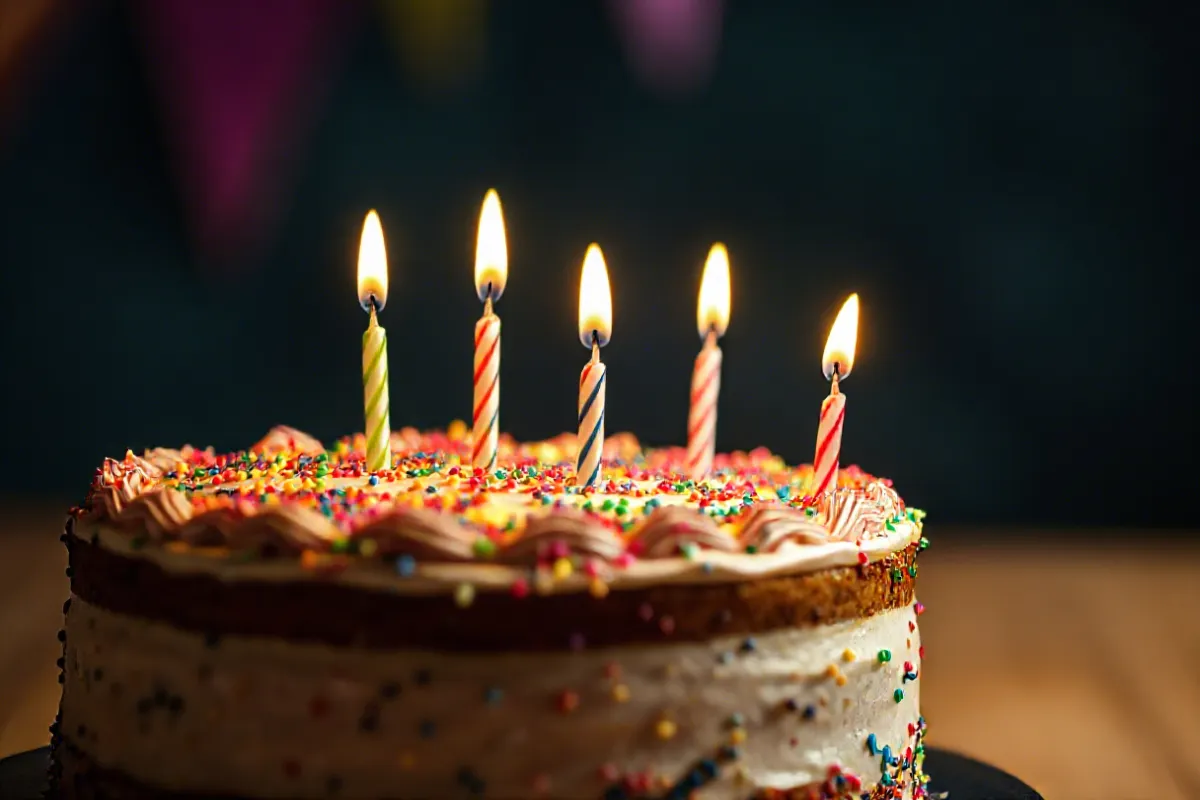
(1009, 187)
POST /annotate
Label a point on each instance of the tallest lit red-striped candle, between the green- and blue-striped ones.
(491, 274)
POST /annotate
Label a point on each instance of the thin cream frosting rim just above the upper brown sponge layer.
(709, 567)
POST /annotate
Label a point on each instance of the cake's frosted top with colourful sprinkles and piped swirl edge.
(289, 498)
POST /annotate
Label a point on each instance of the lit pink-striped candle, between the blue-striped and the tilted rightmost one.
(712, 320)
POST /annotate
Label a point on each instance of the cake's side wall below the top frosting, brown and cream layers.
(178, 712)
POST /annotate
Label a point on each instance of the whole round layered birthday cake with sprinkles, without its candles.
(283, 623)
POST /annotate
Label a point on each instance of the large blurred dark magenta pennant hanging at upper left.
(237, 82)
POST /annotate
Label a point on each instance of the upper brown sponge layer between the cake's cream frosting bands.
(323, 611)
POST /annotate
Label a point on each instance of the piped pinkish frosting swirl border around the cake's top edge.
(131, 498)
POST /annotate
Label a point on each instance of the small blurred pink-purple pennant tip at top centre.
(671, 45)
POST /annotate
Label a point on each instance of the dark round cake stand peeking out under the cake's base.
(23, 778)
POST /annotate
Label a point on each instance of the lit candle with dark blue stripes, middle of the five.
(596, 330)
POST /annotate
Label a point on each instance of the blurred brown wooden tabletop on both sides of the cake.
(1077, 669)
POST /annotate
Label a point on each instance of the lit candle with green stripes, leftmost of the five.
(373, 297)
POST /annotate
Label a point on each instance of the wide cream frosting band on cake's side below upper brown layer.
(251, 707)
